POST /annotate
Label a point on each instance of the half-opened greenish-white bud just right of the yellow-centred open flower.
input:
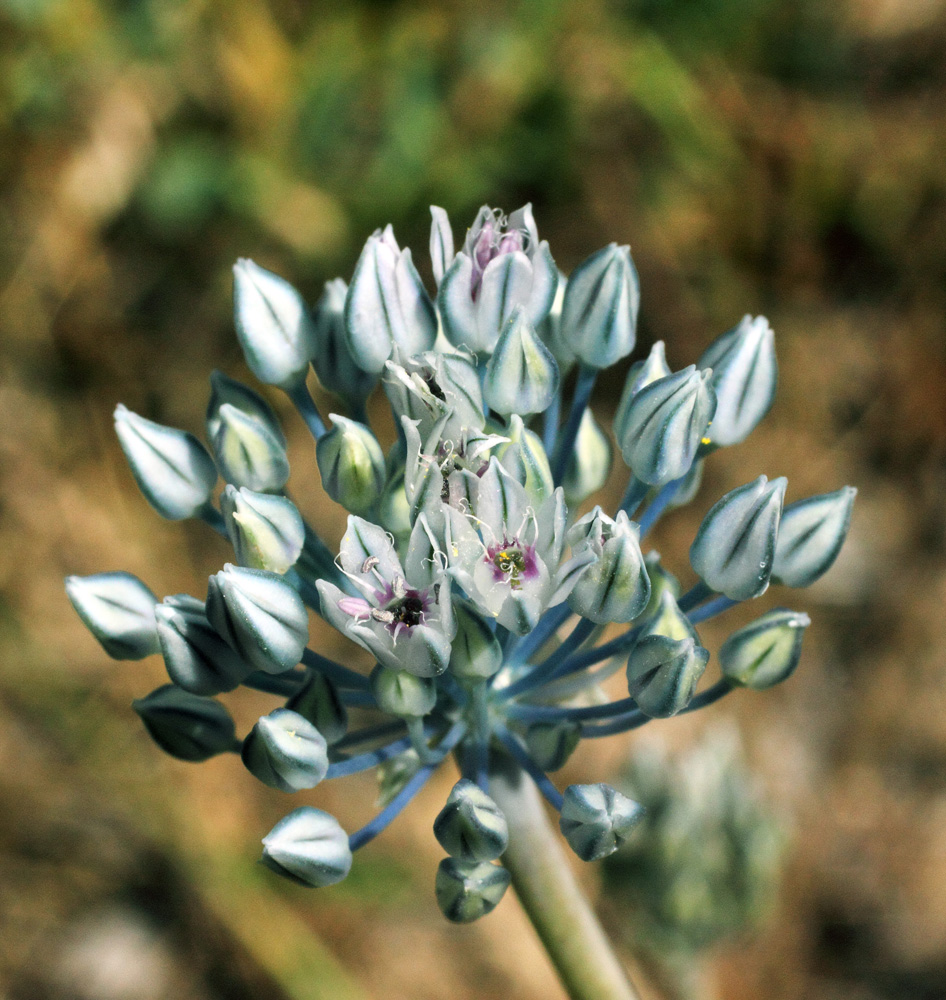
(615, 586)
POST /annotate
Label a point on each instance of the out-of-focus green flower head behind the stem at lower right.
(676, 900)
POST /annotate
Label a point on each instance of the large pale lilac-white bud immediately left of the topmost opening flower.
(387, 305)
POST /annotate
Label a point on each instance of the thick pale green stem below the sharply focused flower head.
(550, 894)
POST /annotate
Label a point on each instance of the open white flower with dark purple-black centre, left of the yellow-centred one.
(405, 617)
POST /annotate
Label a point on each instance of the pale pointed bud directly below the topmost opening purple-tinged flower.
(521, 376)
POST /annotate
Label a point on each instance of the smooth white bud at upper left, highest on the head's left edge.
(273, 324)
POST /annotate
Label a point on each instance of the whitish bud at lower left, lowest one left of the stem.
(308, 847)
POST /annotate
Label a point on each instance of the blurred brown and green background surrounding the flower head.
(775, 156)
